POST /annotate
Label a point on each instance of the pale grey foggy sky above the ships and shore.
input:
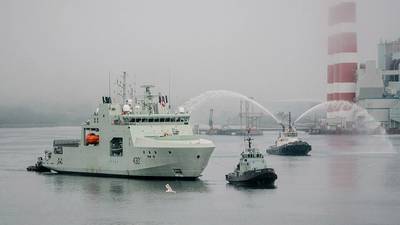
(60, 52)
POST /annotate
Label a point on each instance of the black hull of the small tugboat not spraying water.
(262, 177)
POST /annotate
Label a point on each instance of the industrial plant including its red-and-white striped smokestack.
(372, 85)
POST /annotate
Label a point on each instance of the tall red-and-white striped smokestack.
(342, 51)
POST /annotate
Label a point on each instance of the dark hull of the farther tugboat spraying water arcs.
(297, 148)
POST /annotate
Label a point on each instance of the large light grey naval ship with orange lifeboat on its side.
(141, 138)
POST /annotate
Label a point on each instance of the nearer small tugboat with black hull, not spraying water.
(252, 169)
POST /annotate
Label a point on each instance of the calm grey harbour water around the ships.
(346, 180)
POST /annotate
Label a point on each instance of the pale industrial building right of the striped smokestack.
(378, 86)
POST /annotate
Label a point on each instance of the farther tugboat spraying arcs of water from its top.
(288, 143)
